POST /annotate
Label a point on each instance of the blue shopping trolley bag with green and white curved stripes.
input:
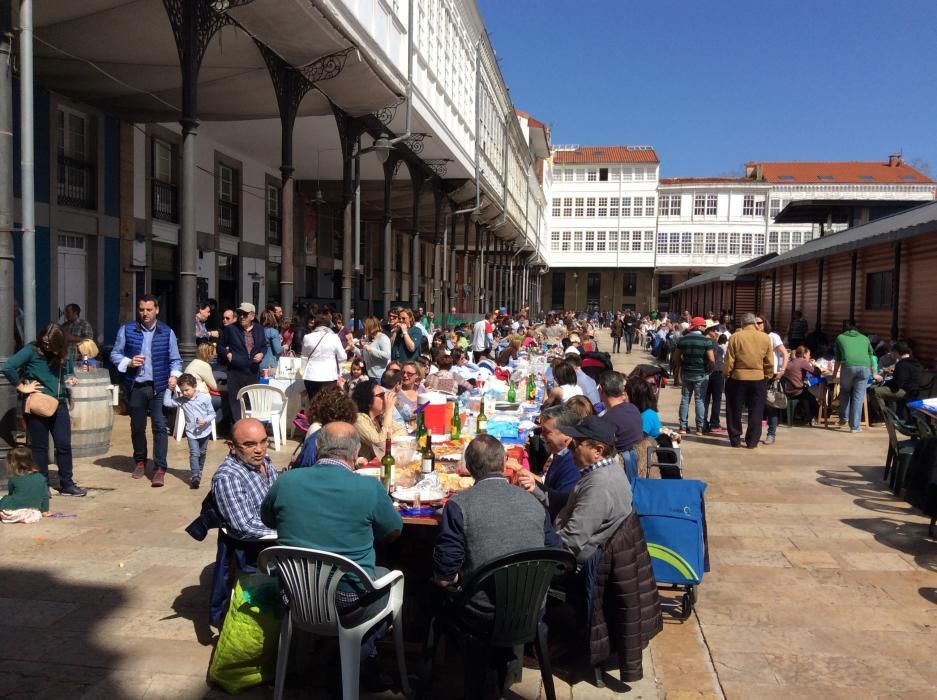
(673, 518)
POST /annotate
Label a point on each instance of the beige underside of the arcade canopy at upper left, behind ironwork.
(120, 55)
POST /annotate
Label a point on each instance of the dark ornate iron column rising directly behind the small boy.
(194, 23)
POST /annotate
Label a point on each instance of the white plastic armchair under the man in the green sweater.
(310, 578)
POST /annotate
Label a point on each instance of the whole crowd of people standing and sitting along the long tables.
(365, 382)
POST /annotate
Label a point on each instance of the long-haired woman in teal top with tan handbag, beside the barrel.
(42, 372)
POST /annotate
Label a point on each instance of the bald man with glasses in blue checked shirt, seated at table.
(243, 480)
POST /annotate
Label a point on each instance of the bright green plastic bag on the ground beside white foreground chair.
(246, 653)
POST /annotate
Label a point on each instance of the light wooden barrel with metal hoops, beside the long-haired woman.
(92, 413)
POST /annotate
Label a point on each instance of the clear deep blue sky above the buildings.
(713, 83)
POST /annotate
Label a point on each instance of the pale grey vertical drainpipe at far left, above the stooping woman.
(27, 167)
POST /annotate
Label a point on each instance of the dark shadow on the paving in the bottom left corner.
(52, 630)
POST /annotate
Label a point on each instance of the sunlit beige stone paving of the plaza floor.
(822, 583)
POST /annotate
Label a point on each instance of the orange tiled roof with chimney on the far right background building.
(842, 172)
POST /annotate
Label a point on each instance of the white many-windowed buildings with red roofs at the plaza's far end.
(695, 224)
